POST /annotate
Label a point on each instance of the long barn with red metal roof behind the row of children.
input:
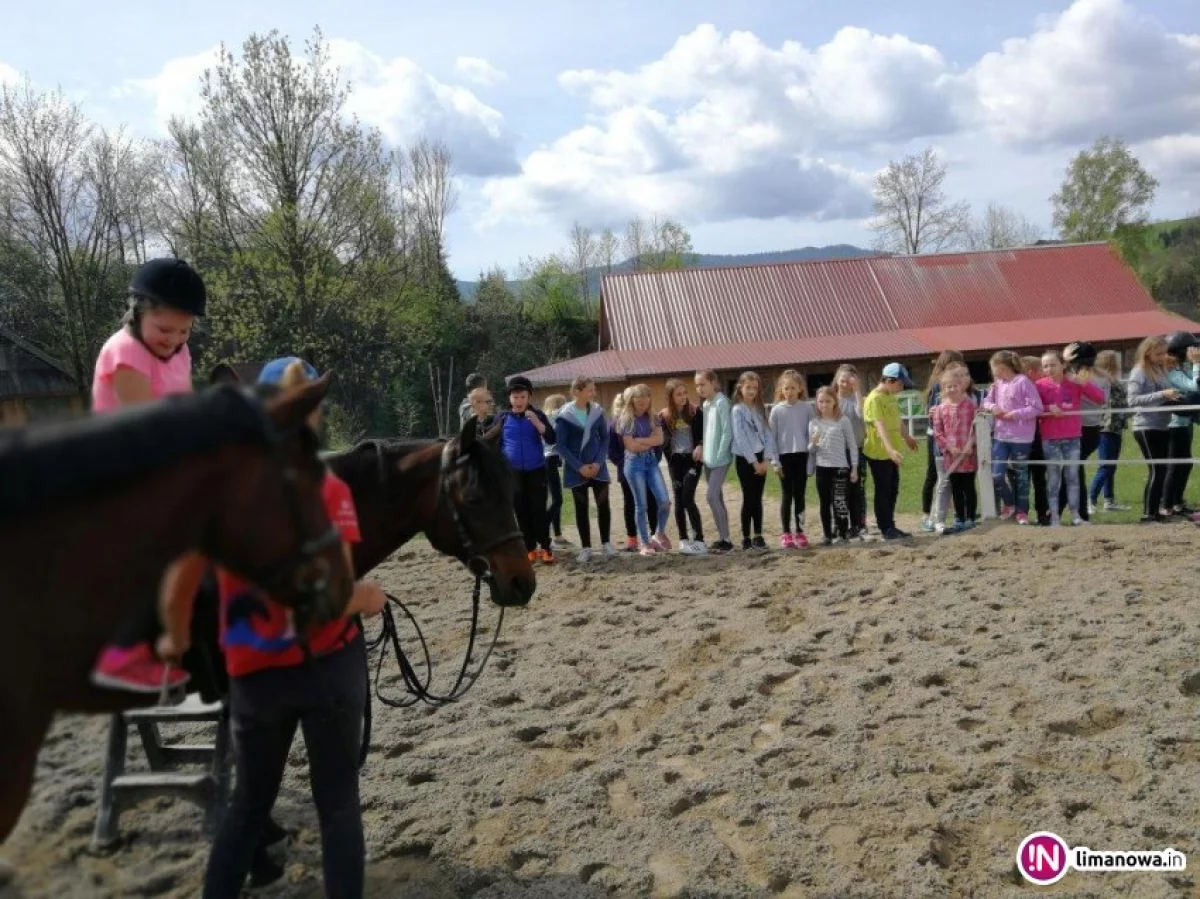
(868, 311)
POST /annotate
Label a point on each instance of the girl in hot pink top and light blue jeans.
(1063, 428)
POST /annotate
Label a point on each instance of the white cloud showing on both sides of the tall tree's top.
(397, 97)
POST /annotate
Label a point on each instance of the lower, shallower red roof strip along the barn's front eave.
(616, 365)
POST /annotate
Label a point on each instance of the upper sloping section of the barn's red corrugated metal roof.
(865, 296)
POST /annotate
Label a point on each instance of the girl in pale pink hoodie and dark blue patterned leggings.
(1015, 404)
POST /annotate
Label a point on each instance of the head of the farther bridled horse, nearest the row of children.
(477, 520)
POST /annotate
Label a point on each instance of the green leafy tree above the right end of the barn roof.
(1106, 188)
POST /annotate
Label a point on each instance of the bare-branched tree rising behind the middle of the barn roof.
(913, 214)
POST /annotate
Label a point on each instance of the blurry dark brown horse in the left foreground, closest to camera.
(93, 512)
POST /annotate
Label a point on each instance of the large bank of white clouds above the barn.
(725, 127)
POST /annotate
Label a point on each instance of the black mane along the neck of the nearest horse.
(44, 465)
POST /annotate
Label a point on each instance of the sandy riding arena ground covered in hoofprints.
(883, 721)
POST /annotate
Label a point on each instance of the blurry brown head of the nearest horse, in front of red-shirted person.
(275, 531)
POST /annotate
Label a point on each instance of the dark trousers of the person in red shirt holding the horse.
(326, 699)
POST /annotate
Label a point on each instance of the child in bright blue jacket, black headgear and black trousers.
(524, 431)
